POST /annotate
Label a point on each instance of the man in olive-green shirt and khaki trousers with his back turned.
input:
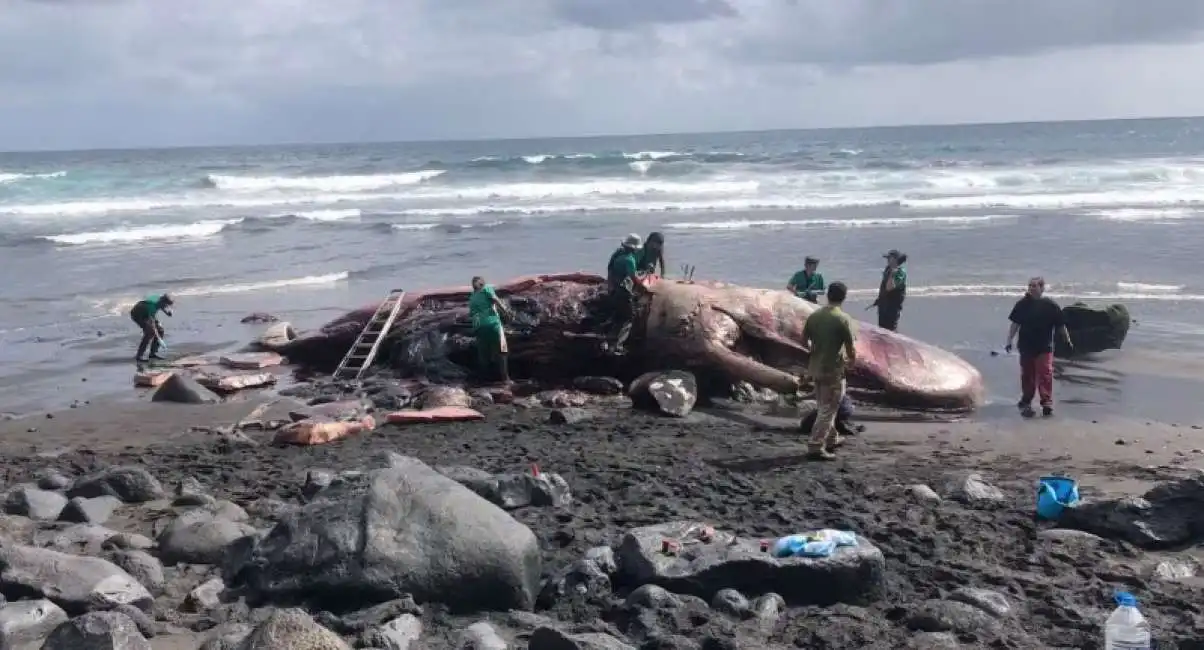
(831, 338)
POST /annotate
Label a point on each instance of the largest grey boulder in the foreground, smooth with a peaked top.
(405, 529)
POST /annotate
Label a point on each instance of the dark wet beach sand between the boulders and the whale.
(740, 472)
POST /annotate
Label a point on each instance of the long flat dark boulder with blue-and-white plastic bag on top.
(852, 575)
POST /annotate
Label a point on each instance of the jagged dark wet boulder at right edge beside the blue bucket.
(1170, 515)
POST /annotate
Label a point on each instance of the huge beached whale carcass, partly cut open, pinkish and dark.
(723, 333)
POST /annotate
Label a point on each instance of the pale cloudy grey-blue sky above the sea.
(96, 74)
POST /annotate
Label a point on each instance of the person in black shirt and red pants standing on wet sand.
(1036, 318)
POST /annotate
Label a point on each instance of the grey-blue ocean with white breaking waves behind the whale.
(1106, 211)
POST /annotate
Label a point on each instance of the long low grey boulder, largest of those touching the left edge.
(74, 583)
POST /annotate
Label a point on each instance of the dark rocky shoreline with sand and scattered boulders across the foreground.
(533, 531)
